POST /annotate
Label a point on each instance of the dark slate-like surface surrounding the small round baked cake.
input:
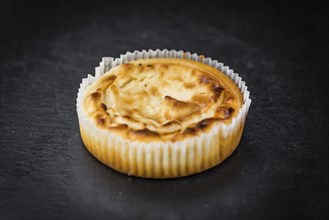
(279, 170)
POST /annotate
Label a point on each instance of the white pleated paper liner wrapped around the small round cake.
(162, 159)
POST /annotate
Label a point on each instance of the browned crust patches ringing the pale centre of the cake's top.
(211, 77)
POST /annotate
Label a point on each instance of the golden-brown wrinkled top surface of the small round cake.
(162, 99)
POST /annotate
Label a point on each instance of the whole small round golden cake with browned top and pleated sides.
(161, 117)
